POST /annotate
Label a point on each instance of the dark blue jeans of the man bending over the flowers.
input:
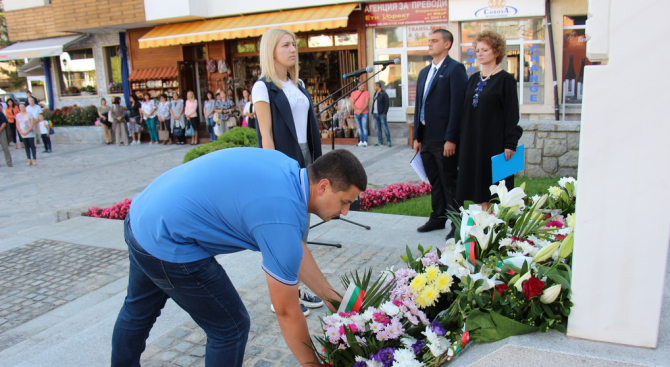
(201, 288)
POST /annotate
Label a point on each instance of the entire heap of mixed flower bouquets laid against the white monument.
(507, 272)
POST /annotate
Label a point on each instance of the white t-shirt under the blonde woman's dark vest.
(297, 100)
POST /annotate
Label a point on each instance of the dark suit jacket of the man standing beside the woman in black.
(444, 103)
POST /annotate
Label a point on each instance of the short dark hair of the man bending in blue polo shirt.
(341, 168)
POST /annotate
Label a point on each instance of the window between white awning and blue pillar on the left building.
(76, 72)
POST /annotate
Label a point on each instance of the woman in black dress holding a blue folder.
(489, 122)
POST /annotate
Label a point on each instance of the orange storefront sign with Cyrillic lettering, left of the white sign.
(405, 12)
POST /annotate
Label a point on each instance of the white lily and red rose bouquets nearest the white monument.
(513, 264)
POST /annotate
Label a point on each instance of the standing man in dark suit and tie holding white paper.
(439, 101)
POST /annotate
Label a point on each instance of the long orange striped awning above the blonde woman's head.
(299, 20)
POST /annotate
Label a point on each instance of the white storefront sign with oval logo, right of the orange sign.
(462, 10)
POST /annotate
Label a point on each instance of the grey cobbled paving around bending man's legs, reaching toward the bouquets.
(265, 345)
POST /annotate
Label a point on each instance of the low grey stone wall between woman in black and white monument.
(552, 148)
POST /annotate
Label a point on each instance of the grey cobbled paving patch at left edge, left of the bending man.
(38, 277)
